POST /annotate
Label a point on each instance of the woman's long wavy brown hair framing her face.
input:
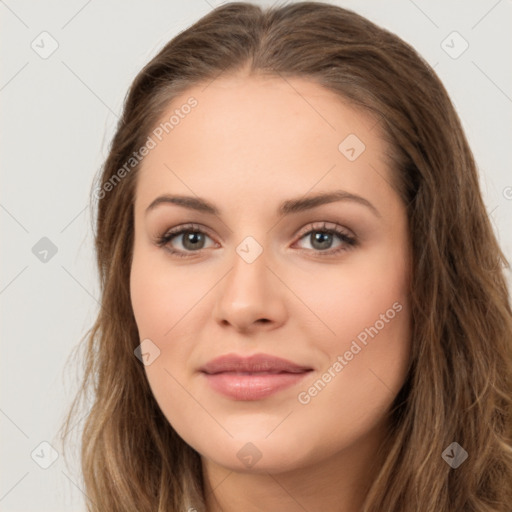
(459, 386)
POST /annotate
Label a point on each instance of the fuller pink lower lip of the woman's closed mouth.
(252, 386)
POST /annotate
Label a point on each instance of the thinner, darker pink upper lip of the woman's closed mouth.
(253, 364)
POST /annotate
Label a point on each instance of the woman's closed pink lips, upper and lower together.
(252, 378)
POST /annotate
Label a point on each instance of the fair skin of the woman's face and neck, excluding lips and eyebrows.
(250, 144)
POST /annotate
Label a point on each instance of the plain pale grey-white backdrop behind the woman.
(58, 115)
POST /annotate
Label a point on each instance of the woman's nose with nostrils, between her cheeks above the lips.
(251, 297)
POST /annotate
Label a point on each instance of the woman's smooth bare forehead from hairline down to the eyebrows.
(261, 134)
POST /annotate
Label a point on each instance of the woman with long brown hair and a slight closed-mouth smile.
(303, 301)
